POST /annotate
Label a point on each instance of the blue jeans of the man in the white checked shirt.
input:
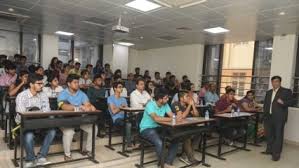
(29, 144)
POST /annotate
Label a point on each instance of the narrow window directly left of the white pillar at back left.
(31, 48)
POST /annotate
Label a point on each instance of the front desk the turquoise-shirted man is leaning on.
(192, 121)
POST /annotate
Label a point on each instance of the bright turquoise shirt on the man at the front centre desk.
(152, 107)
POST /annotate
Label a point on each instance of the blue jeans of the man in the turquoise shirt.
(152, 134)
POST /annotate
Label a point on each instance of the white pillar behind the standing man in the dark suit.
(284, 58)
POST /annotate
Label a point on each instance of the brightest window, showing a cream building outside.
(237, 67)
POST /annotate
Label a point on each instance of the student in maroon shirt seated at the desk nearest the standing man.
(225, 105)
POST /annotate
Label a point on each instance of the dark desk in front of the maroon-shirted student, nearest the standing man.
(225, 117)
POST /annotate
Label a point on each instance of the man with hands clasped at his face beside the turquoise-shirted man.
(185, 107)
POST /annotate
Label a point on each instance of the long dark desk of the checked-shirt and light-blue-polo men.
(37, 120)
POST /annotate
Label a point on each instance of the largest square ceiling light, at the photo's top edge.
(143, 5)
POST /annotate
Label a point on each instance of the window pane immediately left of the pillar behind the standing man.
(261, 68)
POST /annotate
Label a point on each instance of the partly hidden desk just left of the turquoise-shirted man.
(126, 111)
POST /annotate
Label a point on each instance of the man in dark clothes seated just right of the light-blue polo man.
(95, 92)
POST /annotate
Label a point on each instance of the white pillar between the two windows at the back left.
(49, 49)
